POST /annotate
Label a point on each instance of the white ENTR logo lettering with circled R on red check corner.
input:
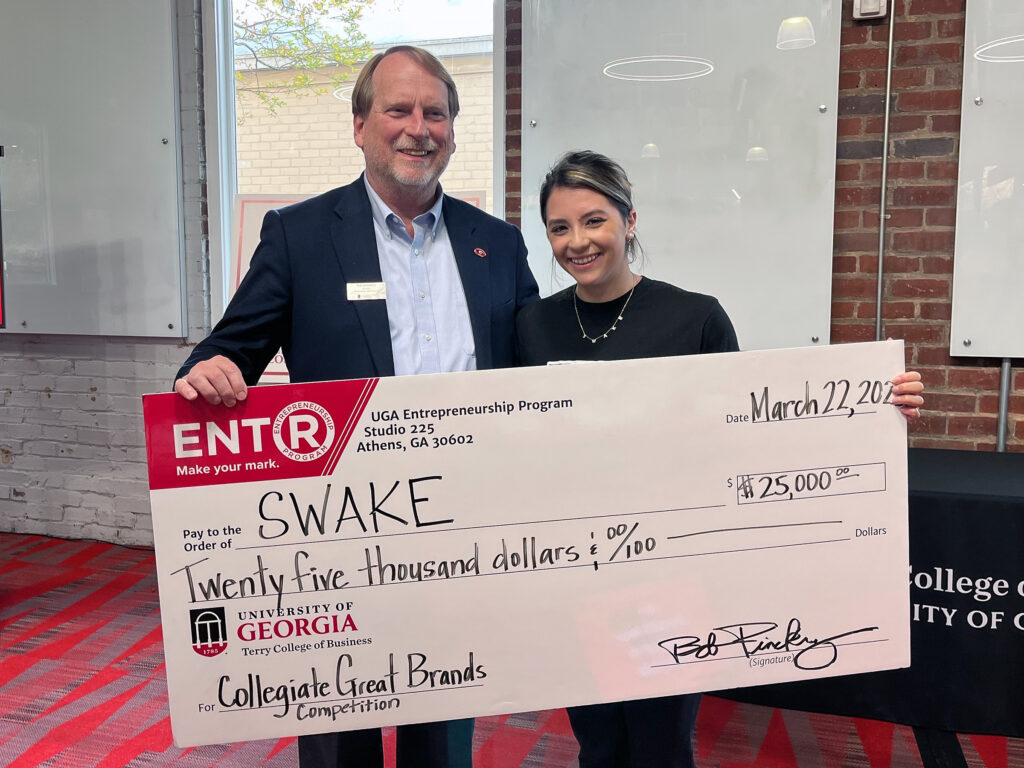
(304, 432)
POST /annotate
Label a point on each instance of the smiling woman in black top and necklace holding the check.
(614, 314)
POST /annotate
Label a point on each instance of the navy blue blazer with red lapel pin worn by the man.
(294, 296)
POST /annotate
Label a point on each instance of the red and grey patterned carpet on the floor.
(82, 685)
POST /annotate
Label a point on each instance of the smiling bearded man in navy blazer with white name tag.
(385, 277)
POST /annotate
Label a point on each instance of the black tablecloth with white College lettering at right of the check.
(967, 593)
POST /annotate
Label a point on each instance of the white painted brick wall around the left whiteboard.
(72, 449)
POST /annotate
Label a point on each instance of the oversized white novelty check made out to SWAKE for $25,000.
(352, 554)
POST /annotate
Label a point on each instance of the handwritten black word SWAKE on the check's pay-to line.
(317, 522)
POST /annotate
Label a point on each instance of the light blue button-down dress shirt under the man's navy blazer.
(426, 305)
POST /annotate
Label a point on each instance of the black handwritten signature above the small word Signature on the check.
(753, 638)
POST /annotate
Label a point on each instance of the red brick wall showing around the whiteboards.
(924, 142)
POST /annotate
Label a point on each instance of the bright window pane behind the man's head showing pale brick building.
(294, 119)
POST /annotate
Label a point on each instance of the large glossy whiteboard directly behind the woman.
(723, 114)
